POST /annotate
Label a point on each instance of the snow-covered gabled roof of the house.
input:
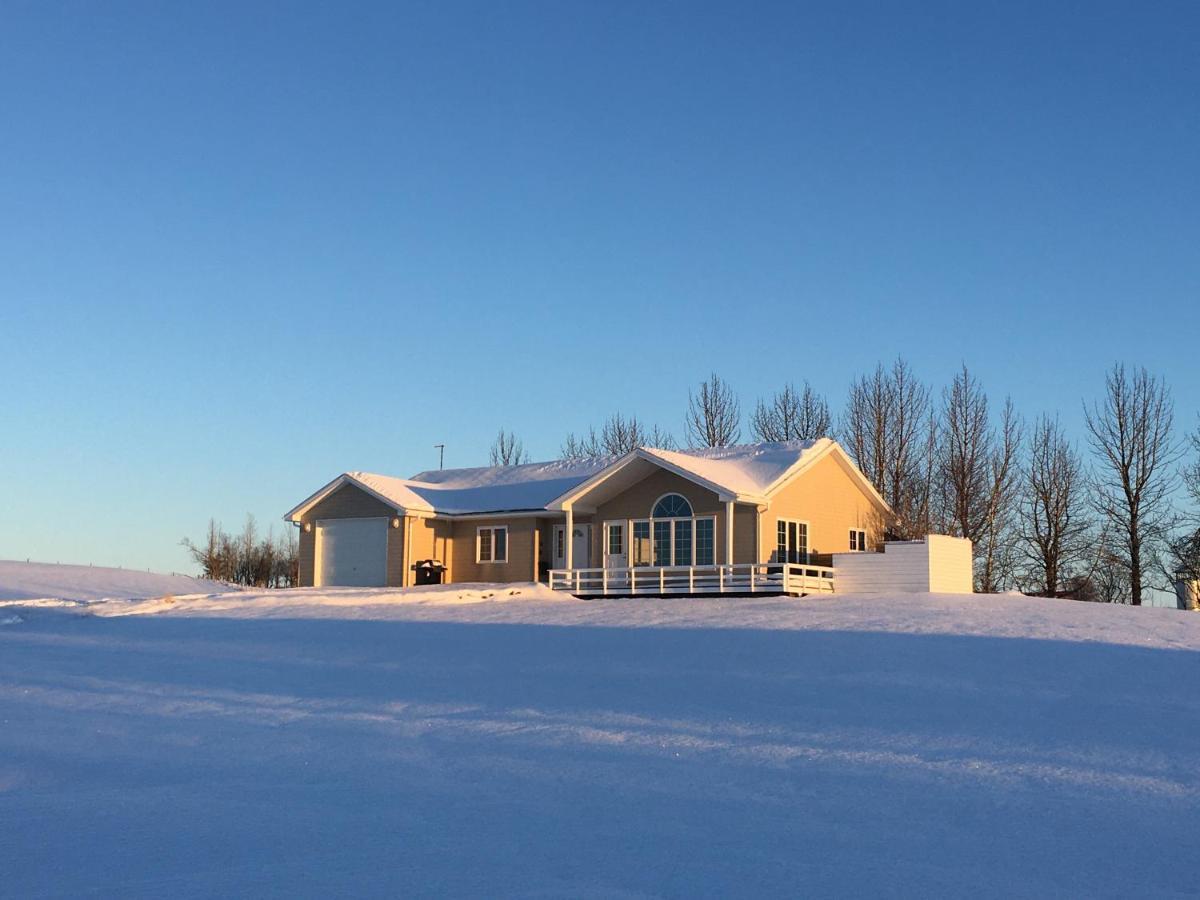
(748, 473)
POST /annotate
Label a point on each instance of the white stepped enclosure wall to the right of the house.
(939, 565)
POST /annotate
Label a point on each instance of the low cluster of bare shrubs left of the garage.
(249, 559)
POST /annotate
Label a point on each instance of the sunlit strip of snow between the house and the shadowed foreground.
(995, 616)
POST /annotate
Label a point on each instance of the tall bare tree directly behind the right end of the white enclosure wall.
(979, 476)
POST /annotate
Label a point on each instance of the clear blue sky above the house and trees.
(245, 248)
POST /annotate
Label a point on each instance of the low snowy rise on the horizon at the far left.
(25, 581)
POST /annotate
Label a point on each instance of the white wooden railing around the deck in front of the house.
(741, 579)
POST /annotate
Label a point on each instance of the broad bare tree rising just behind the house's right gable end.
(890, 430)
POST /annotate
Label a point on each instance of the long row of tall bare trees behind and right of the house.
(1045, 517)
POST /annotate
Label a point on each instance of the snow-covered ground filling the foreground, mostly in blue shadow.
(473, 741)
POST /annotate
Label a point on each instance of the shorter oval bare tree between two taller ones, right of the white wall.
(1057, 530)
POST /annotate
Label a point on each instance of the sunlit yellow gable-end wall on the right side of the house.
(830, 500)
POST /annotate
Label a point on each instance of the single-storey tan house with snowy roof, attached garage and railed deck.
(651, 521)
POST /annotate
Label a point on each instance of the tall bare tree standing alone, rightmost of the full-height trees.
(1131, 435)
